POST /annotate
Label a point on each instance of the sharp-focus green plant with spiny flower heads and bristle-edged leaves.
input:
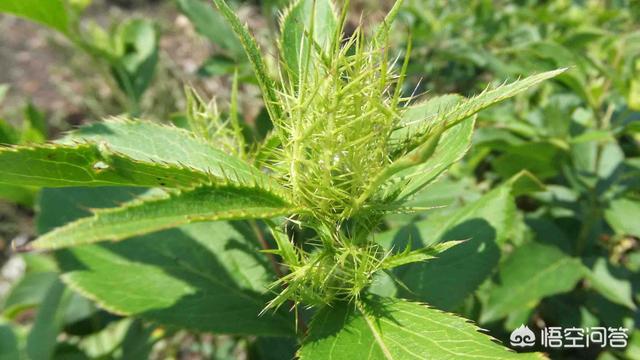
(347, 149)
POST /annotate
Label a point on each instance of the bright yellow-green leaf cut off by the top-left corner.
(51, 13)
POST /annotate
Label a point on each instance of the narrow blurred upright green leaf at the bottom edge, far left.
(41, 340)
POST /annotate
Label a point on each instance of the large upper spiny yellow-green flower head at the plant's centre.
(337, 127)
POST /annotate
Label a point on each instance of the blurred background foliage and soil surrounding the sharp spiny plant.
(558, 246)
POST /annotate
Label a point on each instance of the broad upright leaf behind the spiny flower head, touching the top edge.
(296, 29)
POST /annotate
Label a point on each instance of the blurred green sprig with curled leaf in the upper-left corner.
(125, 56)
